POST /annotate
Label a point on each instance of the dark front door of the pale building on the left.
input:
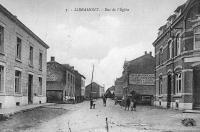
(30, 86)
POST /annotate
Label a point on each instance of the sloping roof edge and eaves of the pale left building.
(21, 25)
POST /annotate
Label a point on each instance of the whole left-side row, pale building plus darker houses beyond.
(25, 76)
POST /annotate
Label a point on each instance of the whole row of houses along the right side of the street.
(173, 76)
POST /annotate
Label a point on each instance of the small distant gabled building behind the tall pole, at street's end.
(96, 92)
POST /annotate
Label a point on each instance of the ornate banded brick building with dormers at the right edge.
(177, 51)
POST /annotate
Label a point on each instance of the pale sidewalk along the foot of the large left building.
(11, 111)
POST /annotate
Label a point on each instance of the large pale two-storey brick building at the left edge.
(22, 63)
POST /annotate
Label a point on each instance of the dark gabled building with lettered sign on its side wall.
(139, 77)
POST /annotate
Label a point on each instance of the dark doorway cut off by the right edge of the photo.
(196, 90)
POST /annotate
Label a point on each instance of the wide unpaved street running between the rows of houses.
(79, 118)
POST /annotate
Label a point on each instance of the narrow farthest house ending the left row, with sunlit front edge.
(79, 86)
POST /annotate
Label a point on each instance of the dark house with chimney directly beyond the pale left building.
(60, 82)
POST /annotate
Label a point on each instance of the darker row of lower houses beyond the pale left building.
(64, 83)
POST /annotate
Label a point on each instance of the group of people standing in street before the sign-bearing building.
(130, 102)
